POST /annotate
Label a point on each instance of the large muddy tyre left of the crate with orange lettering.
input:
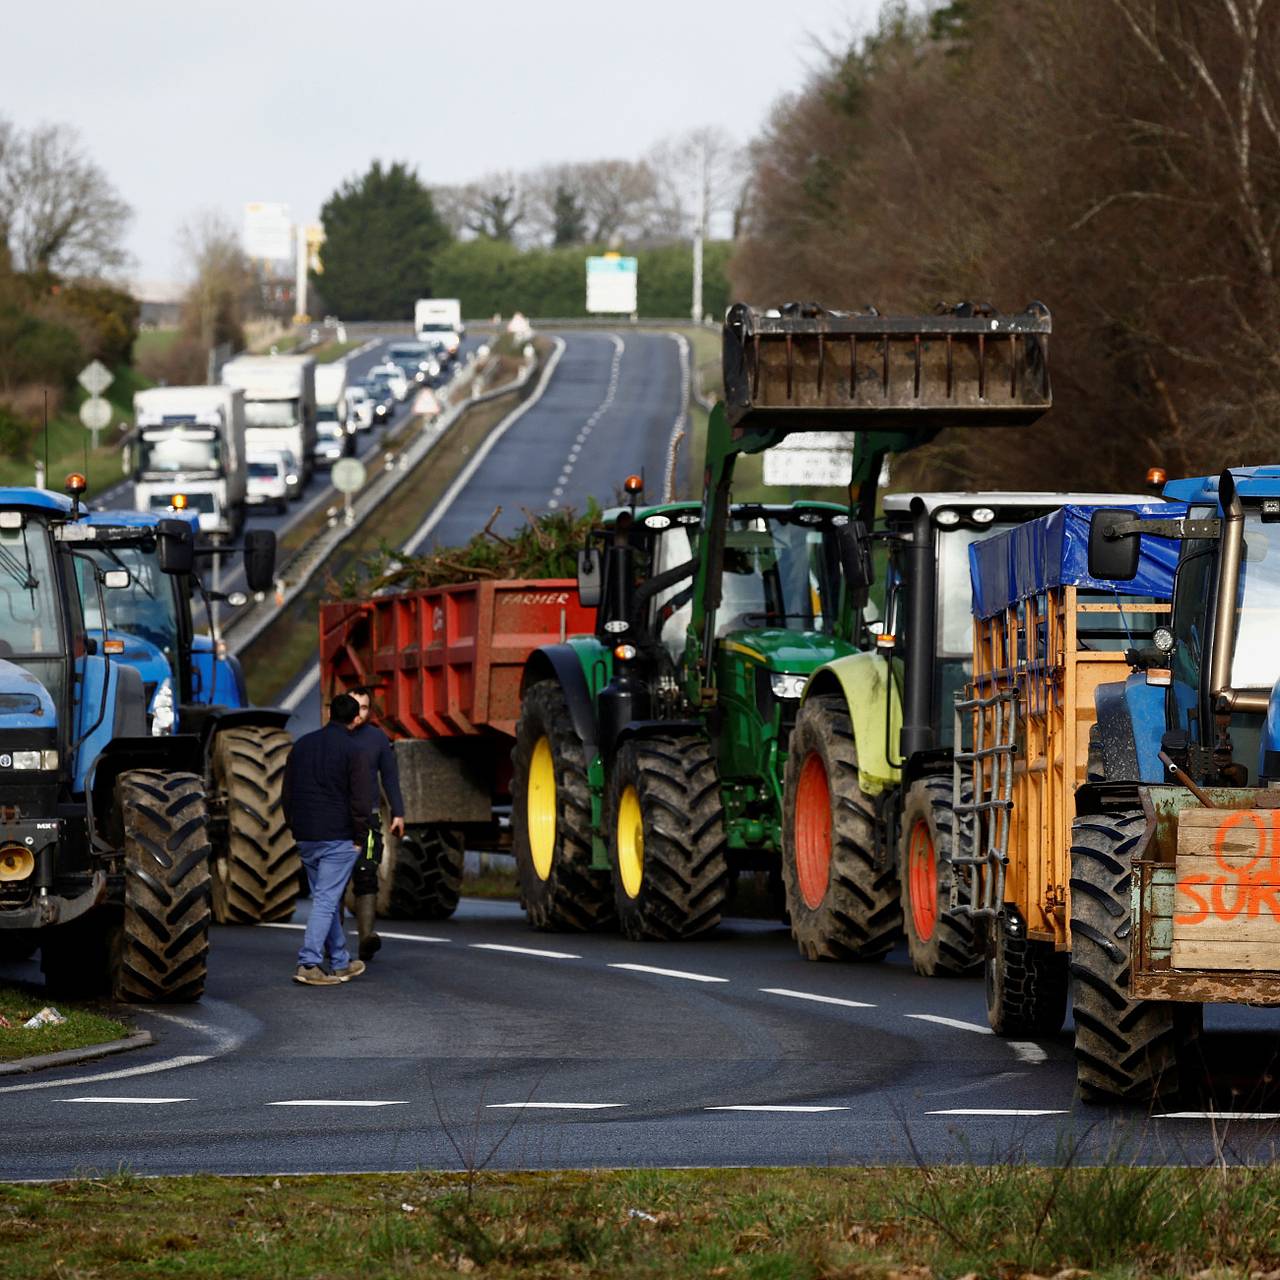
(1124, 1049)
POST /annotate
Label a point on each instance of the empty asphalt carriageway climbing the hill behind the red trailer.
(609, 412)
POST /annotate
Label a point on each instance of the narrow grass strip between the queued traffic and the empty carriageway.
(290, 644)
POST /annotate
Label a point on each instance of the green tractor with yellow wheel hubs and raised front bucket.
(651, 757)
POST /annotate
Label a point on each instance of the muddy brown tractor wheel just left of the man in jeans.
(257, 871)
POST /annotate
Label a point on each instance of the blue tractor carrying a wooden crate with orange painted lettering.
(1176, 849)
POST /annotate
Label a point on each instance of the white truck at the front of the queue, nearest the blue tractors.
(189, 451)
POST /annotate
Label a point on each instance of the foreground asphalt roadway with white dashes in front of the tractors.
(479, 1043)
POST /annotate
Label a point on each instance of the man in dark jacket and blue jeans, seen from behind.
(328, 804)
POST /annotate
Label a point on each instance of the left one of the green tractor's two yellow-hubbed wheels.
(551, 820)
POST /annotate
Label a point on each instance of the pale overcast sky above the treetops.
(190, 106)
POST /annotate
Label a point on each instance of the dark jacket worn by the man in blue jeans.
(328, 793)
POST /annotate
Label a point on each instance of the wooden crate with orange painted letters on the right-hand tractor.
(1227, 899)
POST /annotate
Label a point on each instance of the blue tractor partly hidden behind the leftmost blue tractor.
(195, 688)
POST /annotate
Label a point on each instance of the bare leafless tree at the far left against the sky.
(58, 209)
